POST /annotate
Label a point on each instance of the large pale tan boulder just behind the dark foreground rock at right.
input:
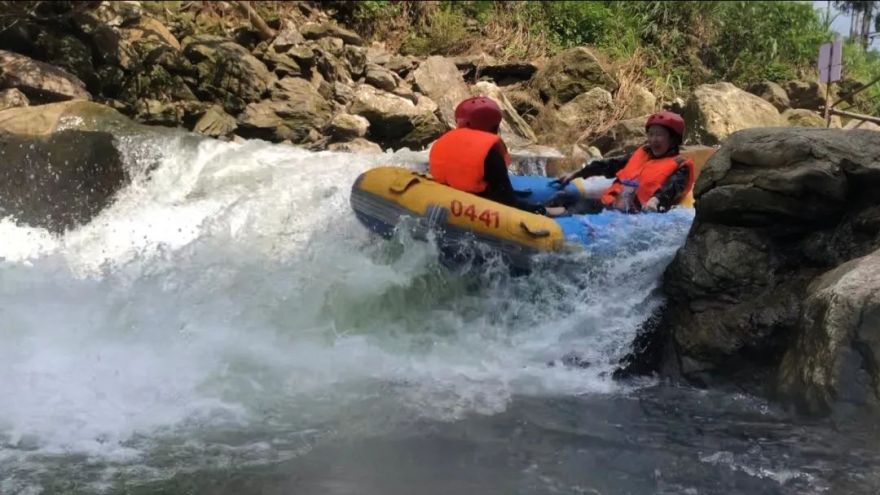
(715, 111)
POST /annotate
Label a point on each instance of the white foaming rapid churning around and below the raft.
(228, 302)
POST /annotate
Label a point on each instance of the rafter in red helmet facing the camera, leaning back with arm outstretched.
(654, 178)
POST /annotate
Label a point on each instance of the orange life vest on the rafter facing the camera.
(650, 174)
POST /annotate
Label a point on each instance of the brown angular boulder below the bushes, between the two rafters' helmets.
(571, 73)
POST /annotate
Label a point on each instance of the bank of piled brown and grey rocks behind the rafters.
(314, 83)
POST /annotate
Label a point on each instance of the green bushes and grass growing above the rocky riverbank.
(677, 44)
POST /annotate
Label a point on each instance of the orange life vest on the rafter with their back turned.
(458, 158)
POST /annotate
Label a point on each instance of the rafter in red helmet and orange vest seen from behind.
(473, 158)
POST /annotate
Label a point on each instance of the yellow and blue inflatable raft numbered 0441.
(382, 197)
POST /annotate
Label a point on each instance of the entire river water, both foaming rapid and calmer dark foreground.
(227, 326)
